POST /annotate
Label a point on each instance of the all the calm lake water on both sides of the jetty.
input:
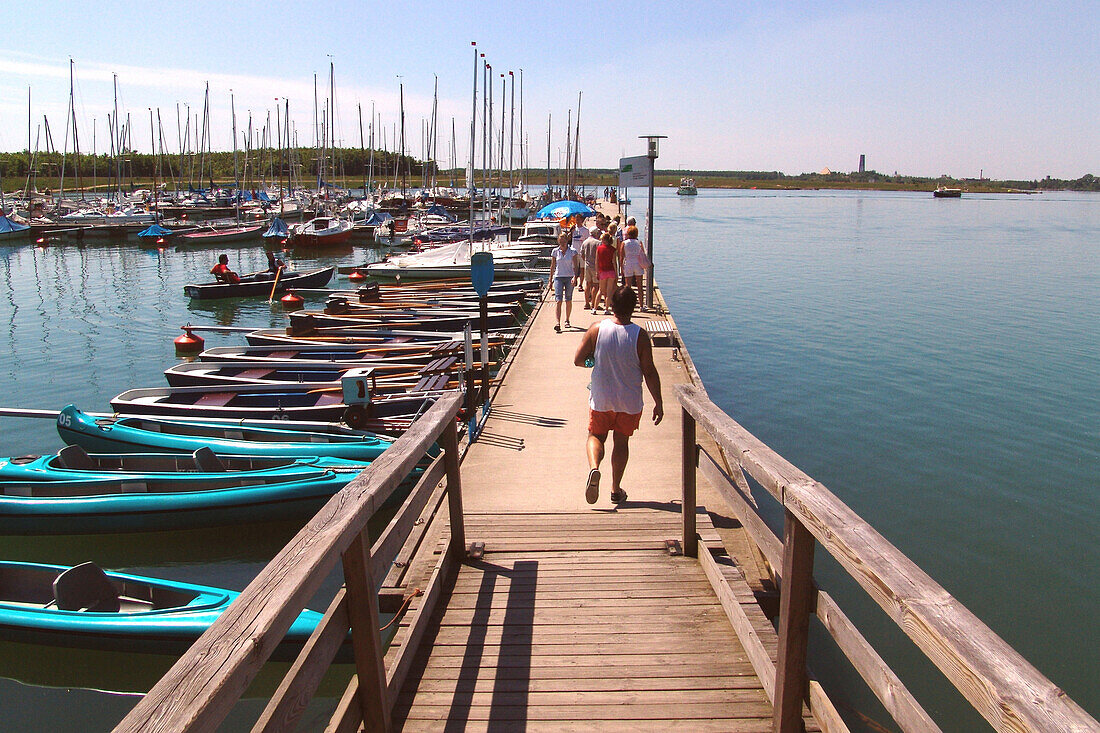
(936, 364)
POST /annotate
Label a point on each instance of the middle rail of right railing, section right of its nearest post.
(884, 683)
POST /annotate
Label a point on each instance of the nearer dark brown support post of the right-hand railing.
(796, 606)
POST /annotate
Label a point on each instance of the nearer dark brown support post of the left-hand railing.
(366, 639)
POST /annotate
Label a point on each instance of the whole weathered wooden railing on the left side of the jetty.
(206, 683)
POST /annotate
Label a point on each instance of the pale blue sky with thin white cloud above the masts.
(927, 89)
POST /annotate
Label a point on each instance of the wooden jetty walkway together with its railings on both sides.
(524, 608)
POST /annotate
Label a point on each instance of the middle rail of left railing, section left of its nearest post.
(302, 681)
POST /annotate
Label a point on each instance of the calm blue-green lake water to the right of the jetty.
(937, 365)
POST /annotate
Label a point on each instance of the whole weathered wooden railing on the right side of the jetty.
(1009, 693)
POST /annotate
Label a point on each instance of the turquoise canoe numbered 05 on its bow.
(149, 434)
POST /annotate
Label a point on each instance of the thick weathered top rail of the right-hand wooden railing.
(994, 677)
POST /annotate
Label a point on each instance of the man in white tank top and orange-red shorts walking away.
(622, 357)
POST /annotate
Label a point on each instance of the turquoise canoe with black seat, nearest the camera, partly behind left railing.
(86, 608)
